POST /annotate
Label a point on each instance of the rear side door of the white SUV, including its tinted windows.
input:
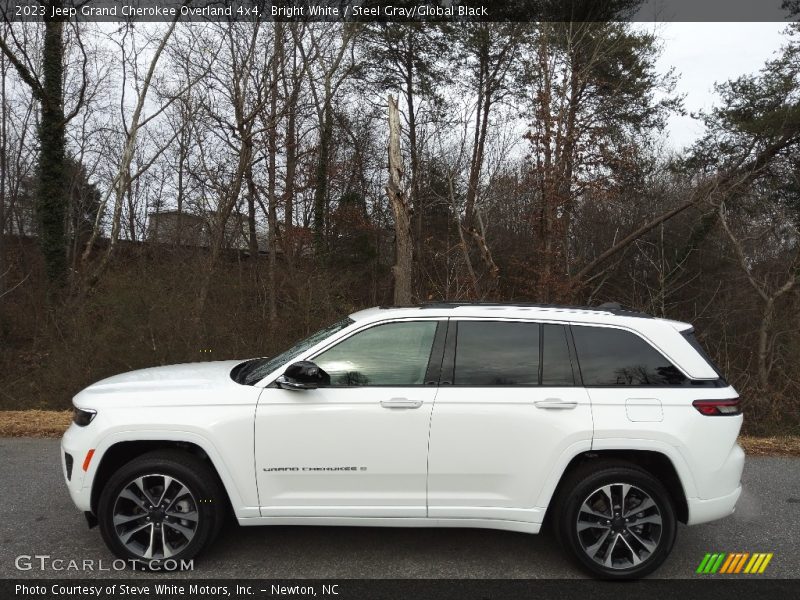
(508, 409)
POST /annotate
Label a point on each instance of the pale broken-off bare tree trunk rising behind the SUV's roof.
(402, 269)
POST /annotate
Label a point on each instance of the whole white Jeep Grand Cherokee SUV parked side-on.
(607, 424)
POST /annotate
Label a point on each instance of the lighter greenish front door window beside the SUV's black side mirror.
(394, 354)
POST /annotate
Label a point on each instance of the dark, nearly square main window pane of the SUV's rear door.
(497, 353)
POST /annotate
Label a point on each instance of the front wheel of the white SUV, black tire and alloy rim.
(203, 505)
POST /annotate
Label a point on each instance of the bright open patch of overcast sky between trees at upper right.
(703, 53)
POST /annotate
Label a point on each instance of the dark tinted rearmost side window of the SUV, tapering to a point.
(612, 357)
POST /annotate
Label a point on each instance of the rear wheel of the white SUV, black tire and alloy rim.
(588, 484)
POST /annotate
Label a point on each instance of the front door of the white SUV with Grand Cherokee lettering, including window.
(360, 446)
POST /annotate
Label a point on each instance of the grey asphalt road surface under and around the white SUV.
(37, 517)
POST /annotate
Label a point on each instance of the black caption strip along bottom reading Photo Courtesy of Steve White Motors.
(169, 588)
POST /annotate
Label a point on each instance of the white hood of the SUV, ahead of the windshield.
(161, 381)
